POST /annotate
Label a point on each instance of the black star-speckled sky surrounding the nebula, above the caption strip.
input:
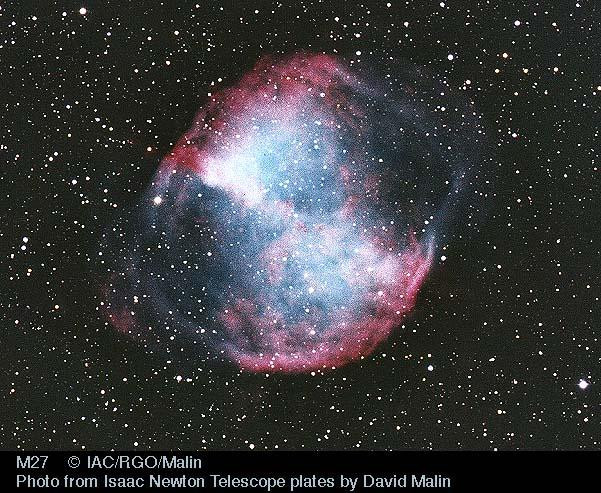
(508, 345)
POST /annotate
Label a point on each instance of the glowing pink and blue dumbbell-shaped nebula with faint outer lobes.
(292, 226)
